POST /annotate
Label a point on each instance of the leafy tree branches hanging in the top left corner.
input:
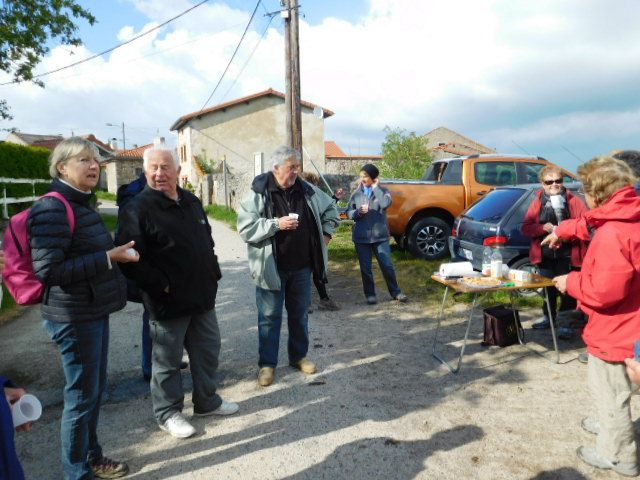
(26, 27)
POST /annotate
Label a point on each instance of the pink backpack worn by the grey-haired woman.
(18, 275)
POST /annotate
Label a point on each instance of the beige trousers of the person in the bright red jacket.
(611, 389)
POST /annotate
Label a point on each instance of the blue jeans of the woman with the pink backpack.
(84, 350)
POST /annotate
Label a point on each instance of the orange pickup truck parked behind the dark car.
(422, 212)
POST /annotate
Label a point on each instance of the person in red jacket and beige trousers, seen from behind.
(607, 289)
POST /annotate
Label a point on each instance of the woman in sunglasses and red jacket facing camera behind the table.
(541, 219)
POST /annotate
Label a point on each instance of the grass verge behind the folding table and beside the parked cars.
(414, 275)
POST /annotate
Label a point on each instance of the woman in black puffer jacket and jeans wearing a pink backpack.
(83, 285)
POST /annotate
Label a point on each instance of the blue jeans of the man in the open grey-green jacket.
(295, 295)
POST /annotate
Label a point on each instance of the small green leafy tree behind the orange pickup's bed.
(405, 155)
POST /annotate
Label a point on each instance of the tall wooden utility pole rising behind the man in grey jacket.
(292, 66)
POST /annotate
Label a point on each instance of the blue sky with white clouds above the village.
(556, 78)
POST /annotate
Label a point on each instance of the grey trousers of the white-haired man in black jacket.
(201, 337)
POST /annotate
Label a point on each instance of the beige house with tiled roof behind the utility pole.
(232, 142)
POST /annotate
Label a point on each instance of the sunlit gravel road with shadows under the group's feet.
(380, 408)
